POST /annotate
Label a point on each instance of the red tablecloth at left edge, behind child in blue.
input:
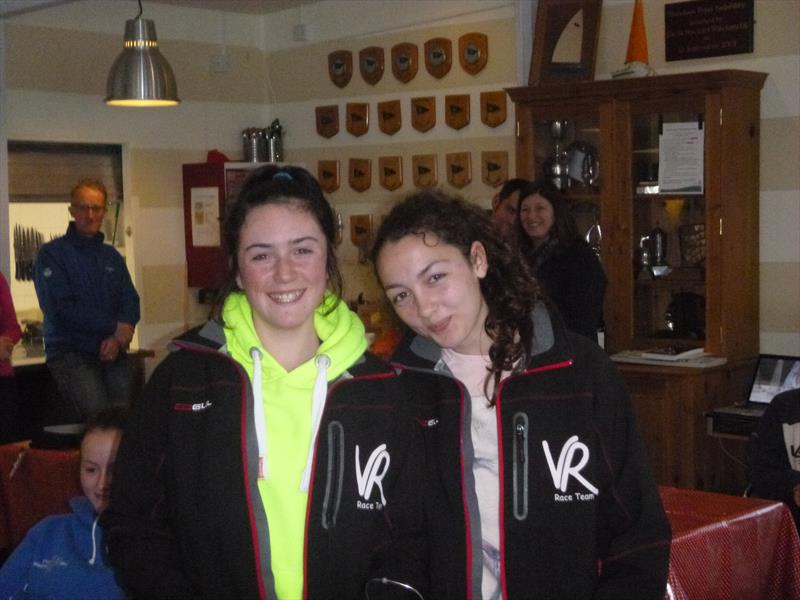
(34, 483)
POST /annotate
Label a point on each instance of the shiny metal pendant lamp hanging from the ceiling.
(141, 76)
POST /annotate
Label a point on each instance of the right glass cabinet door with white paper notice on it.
(668, 230)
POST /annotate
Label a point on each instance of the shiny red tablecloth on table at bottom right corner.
(730, 547)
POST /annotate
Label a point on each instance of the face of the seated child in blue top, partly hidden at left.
(98, 453)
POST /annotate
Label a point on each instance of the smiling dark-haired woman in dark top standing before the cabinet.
(563, 263)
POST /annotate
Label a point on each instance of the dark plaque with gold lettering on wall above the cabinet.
(704, 28)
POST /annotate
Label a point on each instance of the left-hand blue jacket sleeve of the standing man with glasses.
(57, 296)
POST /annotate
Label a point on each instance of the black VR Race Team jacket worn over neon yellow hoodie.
(186, 519)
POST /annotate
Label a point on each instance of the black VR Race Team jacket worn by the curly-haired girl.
(559, 539)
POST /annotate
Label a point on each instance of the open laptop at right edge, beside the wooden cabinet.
(773, 374)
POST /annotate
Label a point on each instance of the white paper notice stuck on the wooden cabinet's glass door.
(680, 162)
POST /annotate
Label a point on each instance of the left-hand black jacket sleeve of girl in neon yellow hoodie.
(142, 546)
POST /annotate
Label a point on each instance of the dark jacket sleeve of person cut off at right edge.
(772, 476)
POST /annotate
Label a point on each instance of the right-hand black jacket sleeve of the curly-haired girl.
(634, 531)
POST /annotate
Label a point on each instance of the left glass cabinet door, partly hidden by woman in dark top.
(567, 154)
